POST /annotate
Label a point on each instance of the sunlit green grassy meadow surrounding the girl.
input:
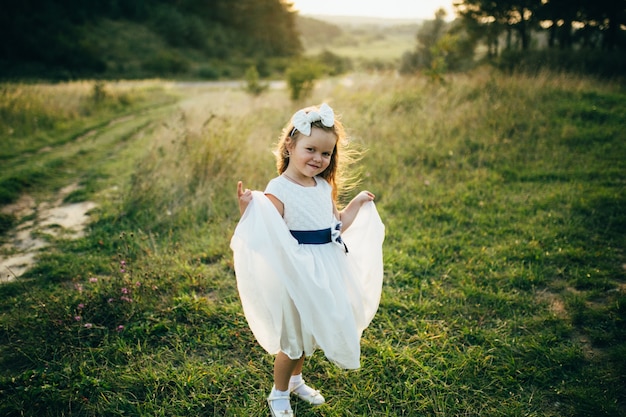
(505, 273)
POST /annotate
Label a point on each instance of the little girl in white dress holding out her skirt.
(309, 276)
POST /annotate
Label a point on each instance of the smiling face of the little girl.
(310, 155)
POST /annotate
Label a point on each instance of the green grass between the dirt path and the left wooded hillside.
(42, 125)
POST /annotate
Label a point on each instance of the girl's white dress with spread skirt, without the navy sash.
(299, 297)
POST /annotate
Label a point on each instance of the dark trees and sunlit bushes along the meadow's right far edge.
(572, 35)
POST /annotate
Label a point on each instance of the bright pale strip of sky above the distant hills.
(422, 9)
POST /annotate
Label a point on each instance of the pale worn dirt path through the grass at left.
(43, 217)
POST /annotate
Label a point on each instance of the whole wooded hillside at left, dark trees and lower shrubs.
(54, 38)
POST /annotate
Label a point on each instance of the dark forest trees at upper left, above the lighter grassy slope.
(42, 35)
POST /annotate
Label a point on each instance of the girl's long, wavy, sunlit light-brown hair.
(342, 157)
